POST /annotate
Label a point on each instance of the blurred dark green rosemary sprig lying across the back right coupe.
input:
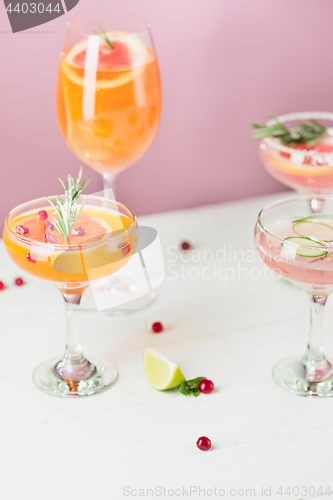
(304, 133)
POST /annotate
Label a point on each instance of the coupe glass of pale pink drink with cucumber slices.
(298, 244)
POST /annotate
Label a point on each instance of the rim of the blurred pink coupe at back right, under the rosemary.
(303, 115)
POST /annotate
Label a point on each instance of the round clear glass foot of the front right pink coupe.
(290, 375)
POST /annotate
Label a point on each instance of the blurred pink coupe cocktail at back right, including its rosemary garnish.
(297, 150)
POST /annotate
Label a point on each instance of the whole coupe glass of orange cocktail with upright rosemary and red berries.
(101, 240)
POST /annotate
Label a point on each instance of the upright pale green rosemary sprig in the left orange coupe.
(66, 205)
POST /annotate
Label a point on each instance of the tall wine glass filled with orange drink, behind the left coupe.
(109, 99)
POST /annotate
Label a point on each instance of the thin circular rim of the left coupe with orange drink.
(68, 247)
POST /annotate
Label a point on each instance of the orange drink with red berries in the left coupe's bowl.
(102, 245)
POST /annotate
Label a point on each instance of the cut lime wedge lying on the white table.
(161, 373)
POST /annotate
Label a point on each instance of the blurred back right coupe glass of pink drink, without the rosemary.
(306, 169)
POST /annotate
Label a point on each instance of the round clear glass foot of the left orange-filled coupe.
(102, 376)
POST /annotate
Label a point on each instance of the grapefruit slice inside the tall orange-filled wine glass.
(114, 66)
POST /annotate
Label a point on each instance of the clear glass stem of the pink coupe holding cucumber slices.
(317, 368)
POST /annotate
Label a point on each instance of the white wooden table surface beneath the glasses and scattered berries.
(132, 439)
